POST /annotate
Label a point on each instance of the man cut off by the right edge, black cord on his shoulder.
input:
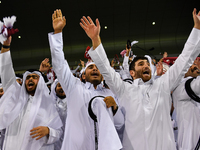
(188, 109)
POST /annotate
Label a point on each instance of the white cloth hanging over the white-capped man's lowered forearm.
(107, 134)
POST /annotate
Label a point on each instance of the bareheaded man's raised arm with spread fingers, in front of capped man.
(98, 55)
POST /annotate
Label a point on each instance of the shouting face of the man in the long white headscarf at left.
(31, 83)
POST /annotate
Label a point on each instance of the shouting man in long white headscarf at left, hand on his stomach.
(26, 112)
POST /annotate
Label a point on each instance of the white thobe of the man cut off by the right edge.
(188, 115)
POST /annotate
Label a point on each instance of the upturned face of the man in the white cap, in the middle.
(92, 75)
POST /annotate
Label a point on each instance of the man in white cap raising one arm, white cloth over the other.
(80, 128)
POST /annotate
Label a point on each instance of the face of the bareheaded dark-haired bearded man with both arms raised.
(142, 70)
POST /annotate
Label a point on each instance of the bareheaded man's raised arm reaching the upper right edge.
(191, 50)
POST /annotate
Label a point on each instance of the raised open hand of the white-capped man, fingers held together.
(58, 20)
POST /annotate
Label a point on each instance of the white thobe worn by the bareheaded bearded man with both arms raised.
(147, 105)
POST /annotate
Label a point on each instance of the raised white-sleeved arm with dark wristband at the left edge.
(6, 67)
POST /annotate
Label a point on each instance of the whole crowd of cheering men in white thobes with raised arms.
(137, 108)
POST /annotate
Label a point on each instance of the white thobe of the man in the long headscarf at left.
(17, 135)
